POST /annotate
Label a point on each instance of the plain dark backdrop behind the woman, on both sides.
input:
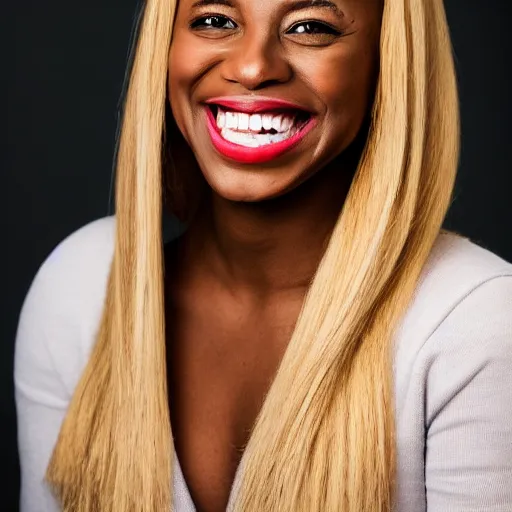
(65, 64)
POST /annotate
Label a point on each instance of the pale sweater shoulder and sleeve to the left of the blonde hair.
(56, 332)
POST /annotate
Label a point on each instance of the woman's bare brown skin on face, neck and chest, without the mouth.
(236, 280)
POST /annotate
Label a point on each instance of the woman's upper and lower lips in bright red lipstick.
(250, 155)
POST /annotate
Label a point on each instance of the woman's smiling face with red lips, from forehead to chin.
(267, 92)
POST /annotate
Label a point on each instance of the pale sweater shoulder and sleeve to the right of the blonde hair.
(453, 381)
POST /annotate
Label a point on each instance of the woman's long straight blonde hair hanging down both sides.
(324, 439)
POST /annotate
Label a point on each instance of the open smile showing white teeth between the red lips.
(258, 129)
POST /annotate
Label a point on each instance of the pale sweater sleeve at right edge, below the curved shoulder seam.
(468, 459)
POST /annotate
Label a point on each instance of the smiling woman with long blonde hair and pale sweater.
(316, 342)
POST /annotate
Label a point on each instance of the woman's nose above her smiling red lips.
(256, 63)
